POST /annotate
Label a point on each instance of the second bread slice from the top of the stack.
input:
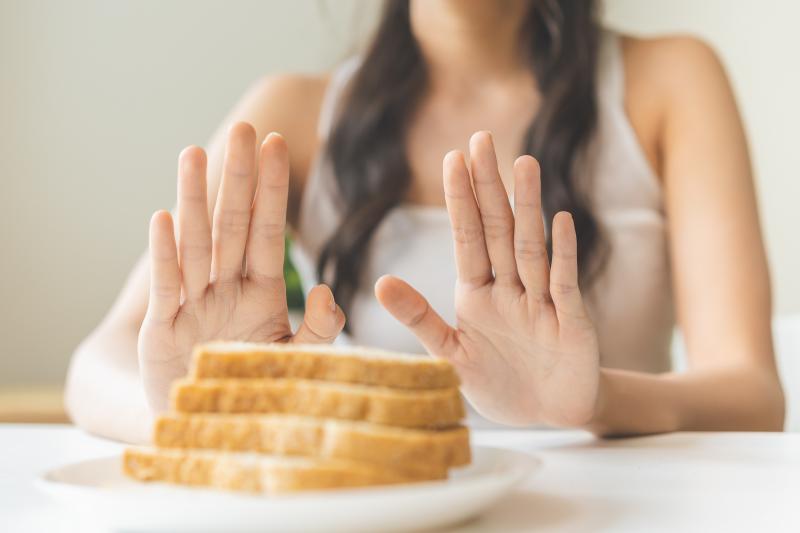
(435, 408)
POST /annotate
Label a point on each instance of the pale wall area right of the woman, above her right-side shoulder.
(759, 43)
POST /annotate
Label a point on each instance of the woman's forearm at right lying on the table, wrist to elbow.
(729, 399)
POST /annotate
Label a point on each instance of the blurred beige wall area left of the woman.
(97, 97)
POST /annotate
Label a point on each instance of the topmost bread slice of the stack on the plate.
(367, 366)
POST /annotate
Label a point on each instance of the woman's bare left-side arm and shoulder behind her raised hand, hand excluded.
(104, 392)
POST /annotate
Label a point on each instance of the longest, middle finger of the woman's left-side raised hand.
(232, 212)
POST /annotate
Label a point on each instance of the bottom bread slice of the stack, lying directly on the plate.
(258, 473)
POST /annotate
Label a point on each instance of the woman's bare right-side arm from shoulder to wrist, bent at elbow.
(720, 274)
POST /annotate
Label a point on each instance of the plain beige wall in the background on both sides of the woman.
(97, 97)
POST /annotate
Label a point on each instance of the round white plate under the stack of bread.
(98, 489)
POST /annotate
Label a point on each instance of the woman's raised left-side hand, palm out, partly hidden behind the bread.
(224, 280)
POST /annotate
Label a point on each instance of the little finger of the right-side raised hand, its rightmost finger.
(564, 272)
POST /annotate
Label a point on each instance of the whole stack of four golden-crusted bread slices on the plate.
(280, 417)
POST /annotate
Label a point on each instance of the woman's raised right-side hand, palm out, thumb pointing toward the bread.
(523, 344)
